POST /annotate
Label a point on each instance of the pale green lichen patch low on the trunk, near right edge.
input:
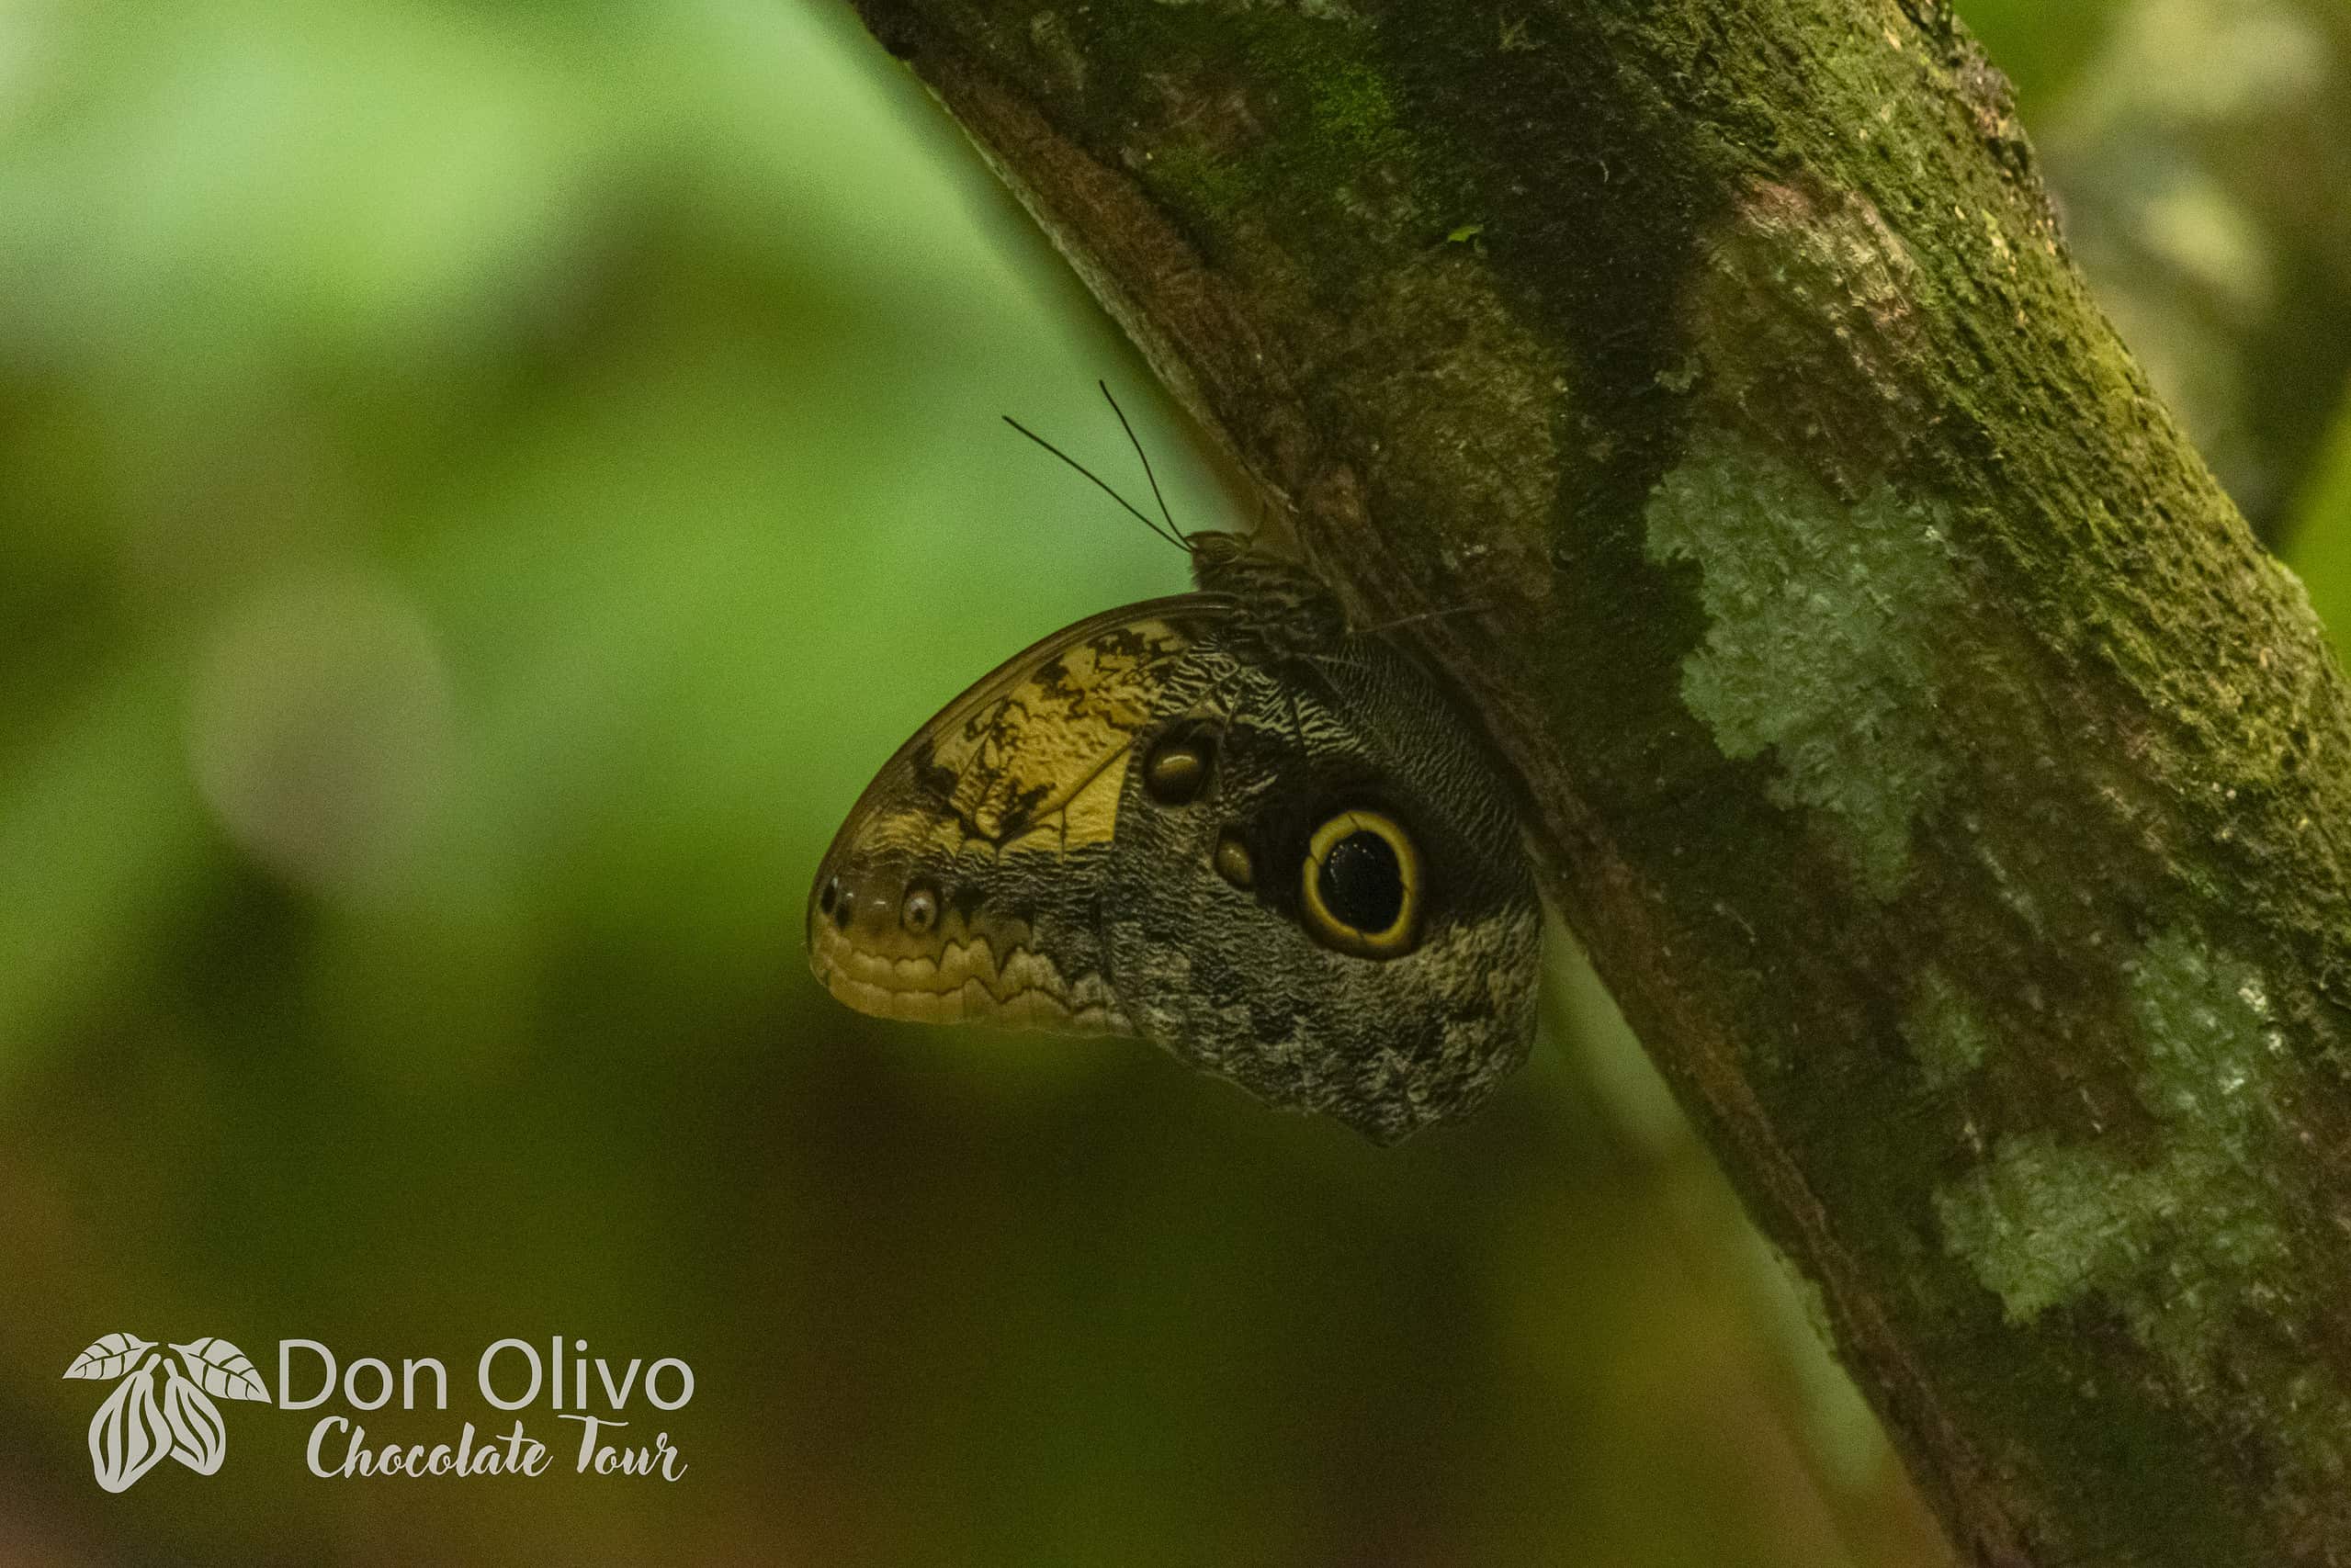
(2173, 1245)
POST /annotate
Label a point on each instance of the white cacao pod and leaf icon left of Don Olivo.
(140, 1428)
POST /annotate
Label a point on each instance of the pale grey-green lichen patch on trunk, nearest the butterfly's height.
(1821, 638)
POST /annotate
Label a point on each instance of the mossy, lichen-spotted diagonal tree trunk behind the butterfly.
(1941, 777)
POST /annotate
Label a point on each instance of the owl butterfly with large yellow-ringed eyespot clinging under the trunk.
(1219, 822)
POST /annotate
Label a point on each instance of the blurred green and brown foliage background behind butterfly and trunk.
(481, 490)
